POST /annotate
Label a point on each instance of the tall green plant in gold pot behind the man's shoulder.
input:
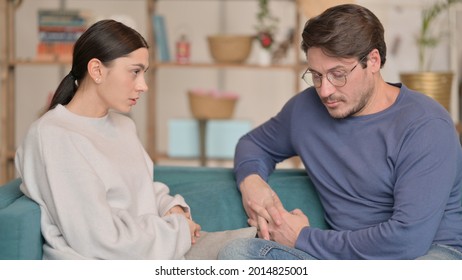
(435, 84)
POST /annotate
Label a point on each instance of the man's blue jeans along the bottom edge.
(260, 249)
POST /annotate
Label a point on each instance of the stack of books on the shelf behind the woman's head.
(58, 30)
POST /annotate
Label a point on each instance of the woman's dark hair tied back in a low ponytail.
(105, 40)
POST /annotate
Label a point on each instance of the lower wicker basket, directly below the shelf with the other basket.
(211, 107)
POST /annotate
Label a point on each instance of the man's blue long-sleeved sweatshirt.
(390, 182)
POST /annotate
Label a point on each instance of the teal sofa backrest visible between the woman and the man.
(216, 202)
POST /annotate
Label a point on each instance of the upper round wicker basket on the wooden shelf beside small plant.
(230, 48)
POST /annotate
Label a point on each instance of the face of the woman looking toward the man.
(124, 81)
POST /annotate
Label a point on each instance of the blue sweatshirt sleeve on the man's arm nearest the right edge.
(425, 174)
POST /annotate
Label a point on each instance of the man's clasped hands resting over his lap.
(266, 212)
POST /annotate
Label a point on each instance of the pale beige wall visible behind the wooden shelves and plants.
(262, 92)
